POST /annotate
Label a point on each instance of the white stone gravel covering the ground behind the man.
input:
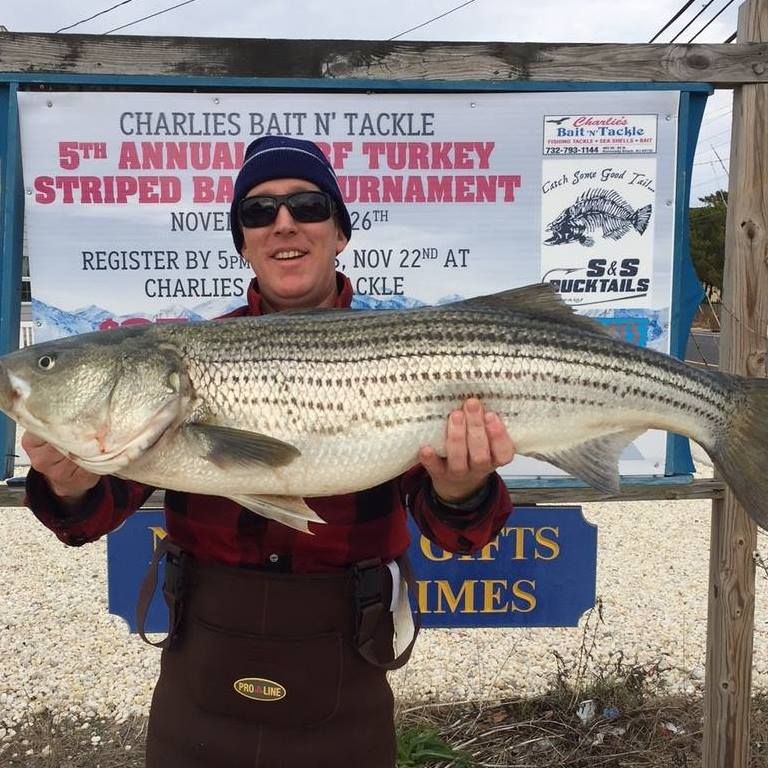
(61, 650)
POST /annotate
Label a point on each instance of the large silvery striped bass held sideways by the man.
(270, 410)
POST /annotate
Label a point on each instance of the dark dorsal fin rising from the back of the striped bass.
(539, 300)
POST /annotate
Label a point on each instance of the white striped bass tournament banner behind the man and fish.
(451, 195)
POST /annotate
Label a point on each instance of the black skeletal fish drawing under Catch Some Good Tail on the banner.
(597, 209)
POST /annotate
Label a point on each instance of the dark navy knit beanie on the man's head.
(282, 157)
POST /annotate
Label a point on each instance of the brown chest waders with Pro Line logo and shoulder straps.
(272, 670)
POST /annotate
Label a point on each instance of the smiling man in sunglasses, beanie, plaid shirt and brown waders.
(283, 639)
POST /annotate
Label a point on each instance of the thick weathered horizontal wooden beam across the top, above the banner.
(721, 65)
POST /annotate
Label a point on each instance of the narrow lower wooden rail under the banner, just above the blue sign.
(697, 489)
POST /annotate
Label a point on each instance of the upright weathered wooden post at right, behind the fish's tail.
(743, 350)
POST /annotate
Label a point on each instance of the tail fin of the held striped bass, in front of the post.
(741, 450)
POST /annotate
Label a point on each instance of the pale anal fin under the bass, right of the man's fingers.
(594, 462)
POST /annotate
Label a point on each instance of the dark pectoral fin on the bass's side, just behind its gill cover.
(227, 447)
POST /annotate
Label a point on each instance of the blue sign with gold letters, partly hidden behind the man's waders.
(538, 572)
